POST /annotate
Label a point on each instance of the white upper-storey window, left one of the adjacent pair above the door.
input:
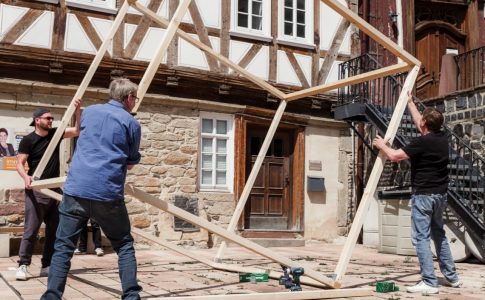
(251, 17)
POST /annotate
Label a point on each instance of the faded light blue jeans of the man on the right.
(427, 221)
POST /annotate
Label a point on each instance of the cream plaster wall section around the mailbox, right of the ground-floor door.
(321, 207)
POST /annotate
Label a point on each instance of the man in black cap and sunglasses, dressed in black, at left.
(38, 207)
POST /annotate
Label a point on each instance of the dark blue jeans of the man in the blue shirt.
(112, 217)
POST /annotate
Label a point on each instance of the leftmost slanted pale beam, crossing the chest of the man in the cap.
(80, 92)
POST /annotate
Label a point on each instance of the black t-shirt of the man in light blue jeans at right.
(429, 163)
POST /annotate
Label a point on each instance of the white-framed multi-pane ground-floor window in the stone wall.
(216, 152)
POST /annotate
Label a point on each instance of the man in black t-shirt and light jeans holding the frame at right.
(429, 178)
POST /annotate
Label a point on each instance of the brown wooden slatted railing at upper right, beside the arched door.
(471, 69)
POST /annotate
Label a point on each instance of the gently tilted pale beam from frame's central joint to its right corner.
(391, 70)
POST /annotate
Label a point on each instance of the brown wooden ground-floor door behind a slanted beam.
(268, 206)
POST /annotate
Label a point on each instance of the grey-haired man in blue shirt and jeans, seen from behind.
(107, 147)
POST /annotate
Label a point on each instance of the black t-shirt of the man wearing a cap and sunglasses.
(35, 145)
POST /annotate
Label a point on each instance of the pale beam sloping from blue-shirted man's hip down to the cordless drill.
(203, 223)
